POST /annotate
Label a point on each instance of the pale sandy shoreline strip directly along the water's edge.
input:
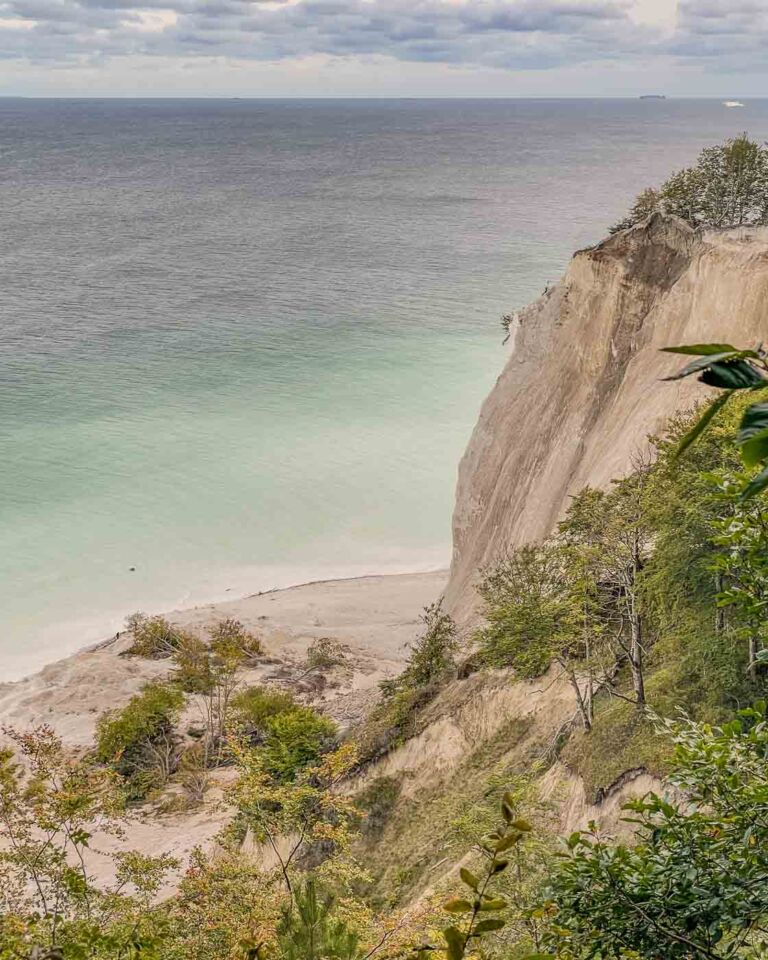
(375, 617)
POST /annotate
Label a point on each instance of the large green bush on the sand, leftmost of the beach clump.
(138, 741)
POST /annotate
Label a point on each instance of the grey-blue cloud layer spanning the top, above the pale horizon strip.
(506, 34)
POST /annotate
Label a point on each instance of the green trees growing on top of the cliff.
(727, 187)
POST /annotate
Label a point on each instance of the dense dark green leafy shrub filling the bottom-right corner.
(693, 886)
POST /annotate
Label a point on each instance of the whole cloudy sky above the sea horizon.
(389, 48)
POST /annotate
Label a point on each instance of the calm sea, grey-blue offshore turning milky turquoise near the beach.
(243, 343)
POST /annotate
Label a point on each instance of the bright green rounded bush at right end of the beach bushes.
(295, 739)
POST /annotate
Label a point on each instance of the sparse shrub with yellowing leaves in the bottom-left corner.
(50, 808)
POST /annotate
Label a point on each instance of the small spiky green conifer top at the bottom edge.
(310, 928)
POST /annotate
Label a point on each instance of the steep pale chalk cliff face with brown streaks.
(580, 392)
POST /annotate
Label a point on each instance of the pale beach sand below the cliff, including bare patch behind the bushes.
(374, 618)
